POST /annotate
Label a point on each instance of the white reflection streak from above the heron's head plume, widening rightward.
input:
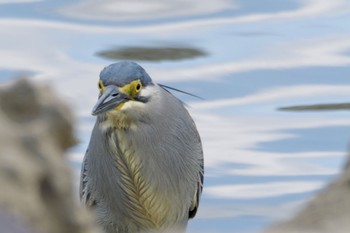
(327, 51)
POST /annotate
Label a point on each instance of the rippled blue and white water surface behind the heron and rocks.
(274, 75)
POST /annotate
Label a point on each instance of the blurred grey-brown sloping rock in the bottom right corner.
(328, 212)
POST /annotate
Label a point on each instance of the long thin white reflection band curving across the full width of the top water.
(308, 8)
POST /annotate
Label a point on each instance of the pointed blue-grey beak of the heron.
(110, 99)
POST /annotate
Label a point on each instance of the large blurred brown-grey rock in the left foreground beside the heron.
(36, 194)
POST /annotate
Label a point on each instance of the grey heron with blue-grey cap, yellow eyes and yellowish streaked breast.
(143, 169)
